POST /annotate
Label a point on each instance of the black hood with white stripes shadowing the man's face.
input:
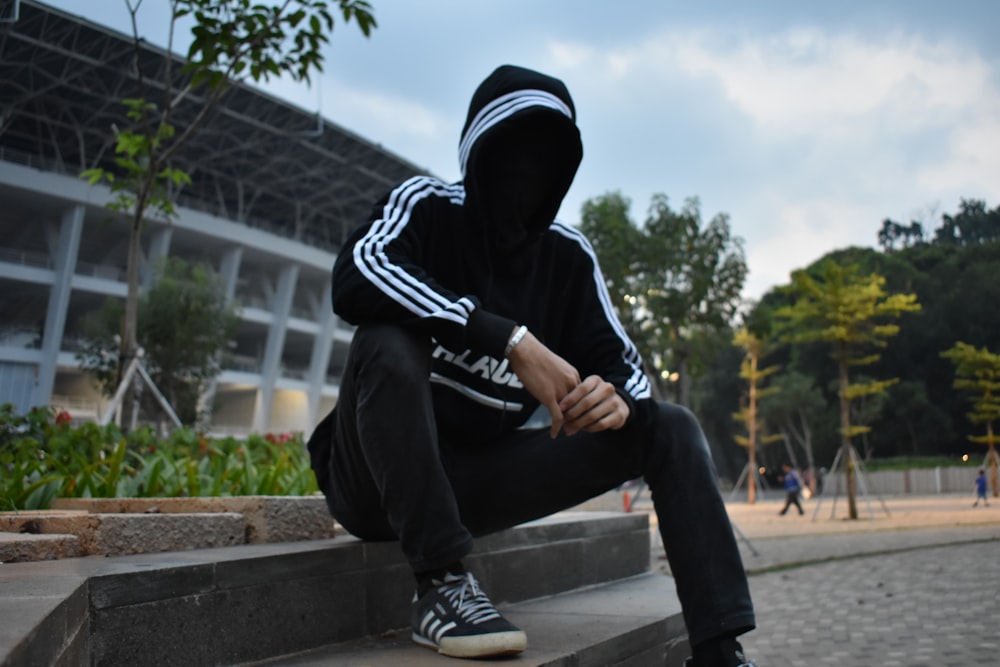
(519, 152)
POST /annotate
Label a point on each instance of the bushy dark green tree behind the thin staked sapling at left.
(184, 325)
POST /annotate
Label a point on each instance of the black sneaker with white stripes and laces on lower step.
(456, 618)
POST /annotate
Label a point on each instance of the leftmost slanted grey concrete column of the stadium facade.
(64, 258)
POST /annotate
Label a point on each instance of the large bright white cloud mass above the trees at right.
(816, 135)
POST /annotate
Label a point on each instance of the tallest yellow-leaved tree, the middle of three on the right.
(846, 310)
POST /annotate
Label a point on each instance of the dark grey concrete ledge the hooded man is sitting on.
(252, 602)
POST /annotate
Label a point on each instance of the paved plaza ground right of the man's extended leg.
(917, 586)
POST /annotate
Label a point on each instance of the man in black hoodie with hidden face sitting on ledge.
(473, 308)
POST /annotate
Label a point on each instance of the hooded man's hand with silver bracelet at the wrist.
(547, 376)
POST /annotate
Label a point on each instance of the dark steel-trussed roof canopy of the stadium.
(257, 159)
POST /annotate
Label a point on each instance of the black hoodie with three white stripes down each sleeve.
(467, 262)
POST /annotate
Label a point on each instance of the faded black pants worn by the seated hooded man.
(390, 476)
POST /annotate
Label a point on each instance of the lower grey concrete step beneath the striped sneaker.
(635, 621)
